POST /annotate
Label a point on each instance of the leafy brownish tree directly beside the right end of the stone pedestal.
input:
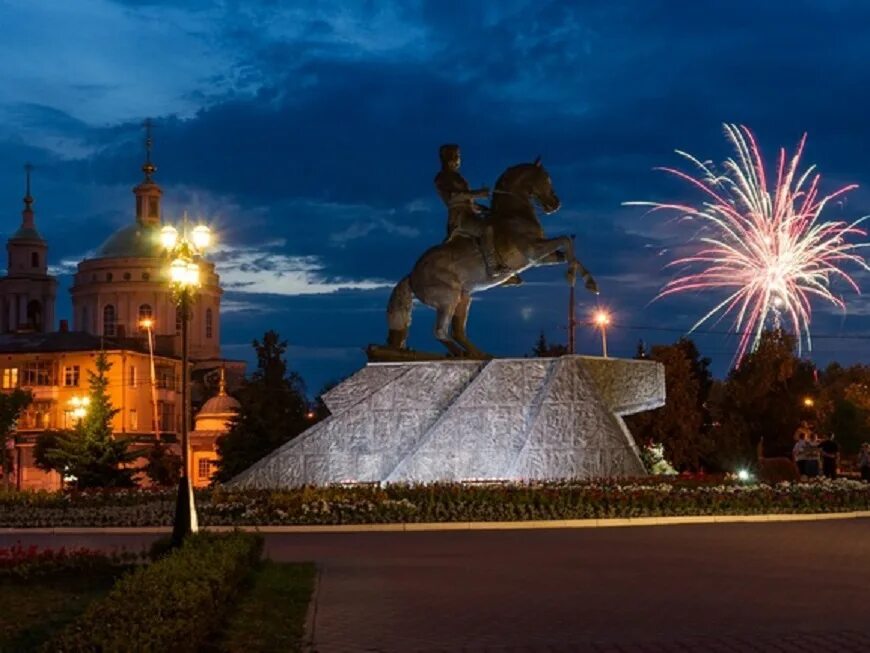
(678, 425)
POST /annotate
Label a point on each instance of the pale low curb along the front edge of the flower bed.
(460, 526)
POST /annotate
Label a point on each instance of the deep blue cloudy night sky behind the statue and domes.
(307, 135)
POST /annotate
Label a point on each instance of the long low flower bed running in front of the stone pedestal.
(436, 503)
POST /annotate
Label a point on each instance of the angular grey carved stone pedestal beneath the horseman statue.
(504, 419)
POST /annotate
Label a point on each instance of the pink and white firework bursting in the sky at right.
(767, 246)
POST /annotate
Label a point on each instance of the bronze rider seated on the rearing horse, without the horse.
(465, 217)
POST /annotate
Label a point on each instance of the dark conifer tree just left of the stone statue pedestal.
(273, 410)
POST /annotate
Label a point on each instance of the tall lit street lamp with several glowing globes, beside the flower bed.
(185, 251)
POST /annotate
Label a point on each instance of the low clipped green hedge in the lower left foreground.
(170, 605)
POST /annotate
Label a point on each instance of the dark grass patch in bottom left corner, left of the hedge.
(33, 610)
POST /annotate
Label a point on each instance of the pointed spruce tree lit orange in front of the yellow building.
(89, 454)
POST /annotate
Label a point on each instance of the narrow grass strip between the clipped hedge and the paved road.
(270, 614)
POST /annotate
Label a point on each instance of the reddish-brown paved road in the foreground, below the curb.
(736, 587)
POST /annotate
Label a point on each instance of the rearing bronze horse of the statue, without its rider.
(446, 275)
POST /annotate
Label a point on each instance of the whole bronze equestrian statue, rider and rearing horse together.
(484, 248)
